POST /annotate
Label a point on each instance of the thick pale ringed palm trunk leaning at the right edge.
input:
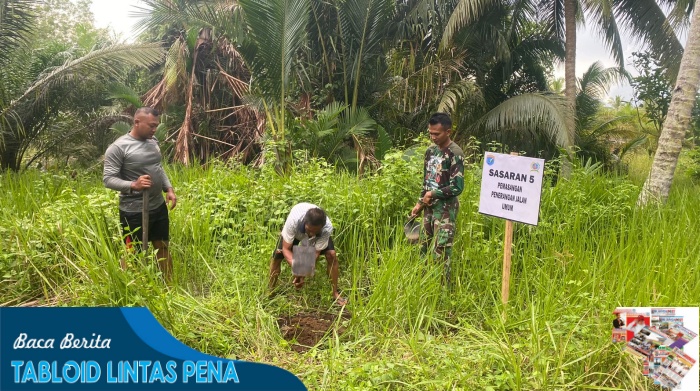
(677, 123)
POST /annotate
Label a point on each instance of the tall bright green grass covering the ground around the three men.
(592, 251)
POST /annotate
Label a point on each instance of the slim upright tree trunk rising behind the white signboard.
(570, 80)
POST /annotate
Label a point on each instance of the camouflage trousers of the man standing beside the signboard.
(439, 223)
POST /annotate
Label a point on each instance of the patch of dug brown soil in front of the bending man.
(306, 329)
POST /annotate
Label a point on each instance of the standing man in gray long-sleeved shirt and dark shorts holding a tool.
(133, 167)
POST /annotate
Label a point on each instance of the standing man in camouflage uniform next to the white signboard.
(443, 182)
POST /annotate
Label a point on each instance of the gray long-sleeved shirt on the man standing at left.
(125, 161)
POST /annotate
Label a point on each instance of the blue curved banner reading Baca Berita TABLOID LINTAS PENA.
(115, 349)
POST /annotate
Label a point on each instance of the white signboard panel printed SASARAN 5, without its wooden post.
(511, 187)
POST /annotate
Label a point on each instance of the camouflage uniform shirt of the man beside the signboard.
(443, 171)
